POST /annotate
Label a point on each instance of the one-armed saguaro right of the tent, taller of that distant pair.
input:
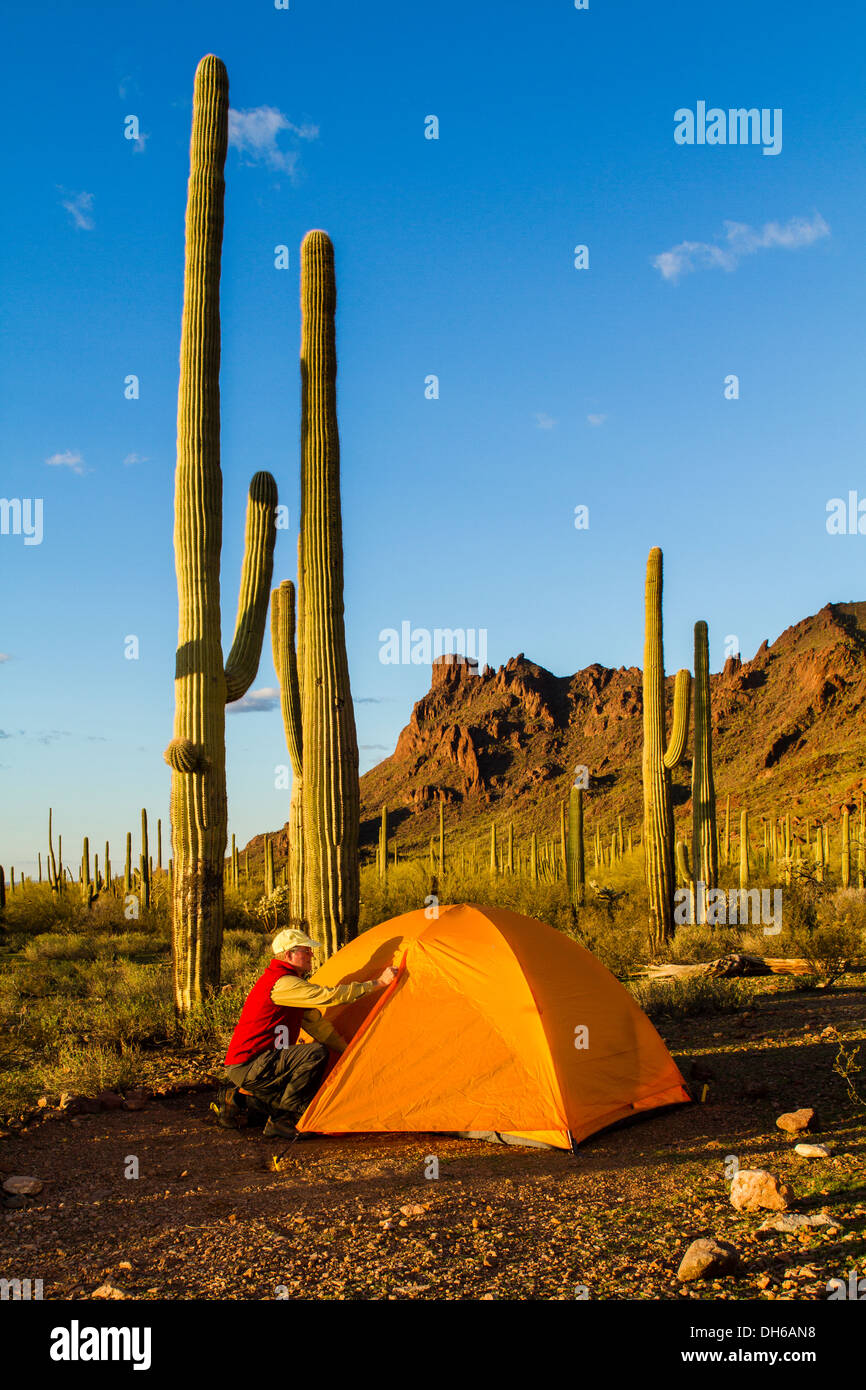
(658, 761)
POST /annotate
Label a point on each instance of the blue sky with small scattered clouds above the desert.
(455, 258)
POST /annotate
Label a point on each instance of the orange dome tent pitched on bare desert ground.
(496, 1024)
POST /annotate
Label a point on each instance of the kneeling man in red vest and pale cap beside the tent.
(265, 1058)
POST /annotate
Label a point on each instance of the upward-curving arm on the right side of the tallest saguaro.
(256, 573)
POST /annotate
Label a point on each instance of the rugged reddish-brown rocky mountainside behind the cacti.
(789, 736)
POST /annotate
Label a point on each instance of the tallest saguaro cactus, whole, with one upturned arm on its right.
(204, 680)
